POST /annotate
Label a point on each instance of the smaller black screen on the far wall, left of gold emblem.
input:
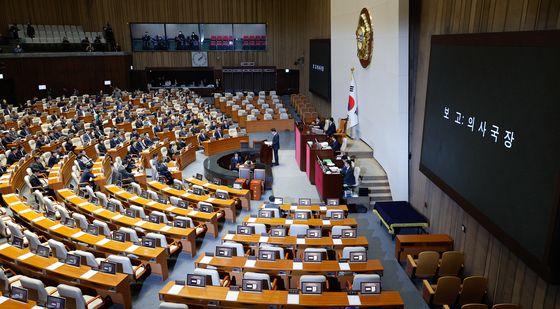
(320, 67)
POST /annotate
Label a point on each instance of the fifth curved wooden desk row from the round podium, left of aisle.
(157, 257)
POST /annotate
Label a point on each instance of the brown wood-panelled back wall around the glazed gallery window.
(290, 25)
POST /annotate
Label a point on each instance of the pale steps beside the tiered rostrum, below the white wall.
(373, 175)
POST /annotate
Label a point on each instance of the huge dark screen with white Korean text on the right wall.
(492, 134)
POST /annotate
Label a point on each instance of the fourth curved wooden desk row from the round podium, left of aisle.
(186, 236)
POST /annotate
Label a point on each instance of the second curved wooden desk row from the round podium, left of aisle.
(228, 206)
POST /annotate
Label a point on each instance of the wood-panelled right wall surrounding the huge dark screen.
(510, 280)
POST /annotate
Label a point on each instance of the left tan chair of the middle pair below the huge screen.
(444, 292)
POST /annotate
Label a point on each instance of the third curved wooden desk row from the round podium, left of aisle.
(209, 219)
